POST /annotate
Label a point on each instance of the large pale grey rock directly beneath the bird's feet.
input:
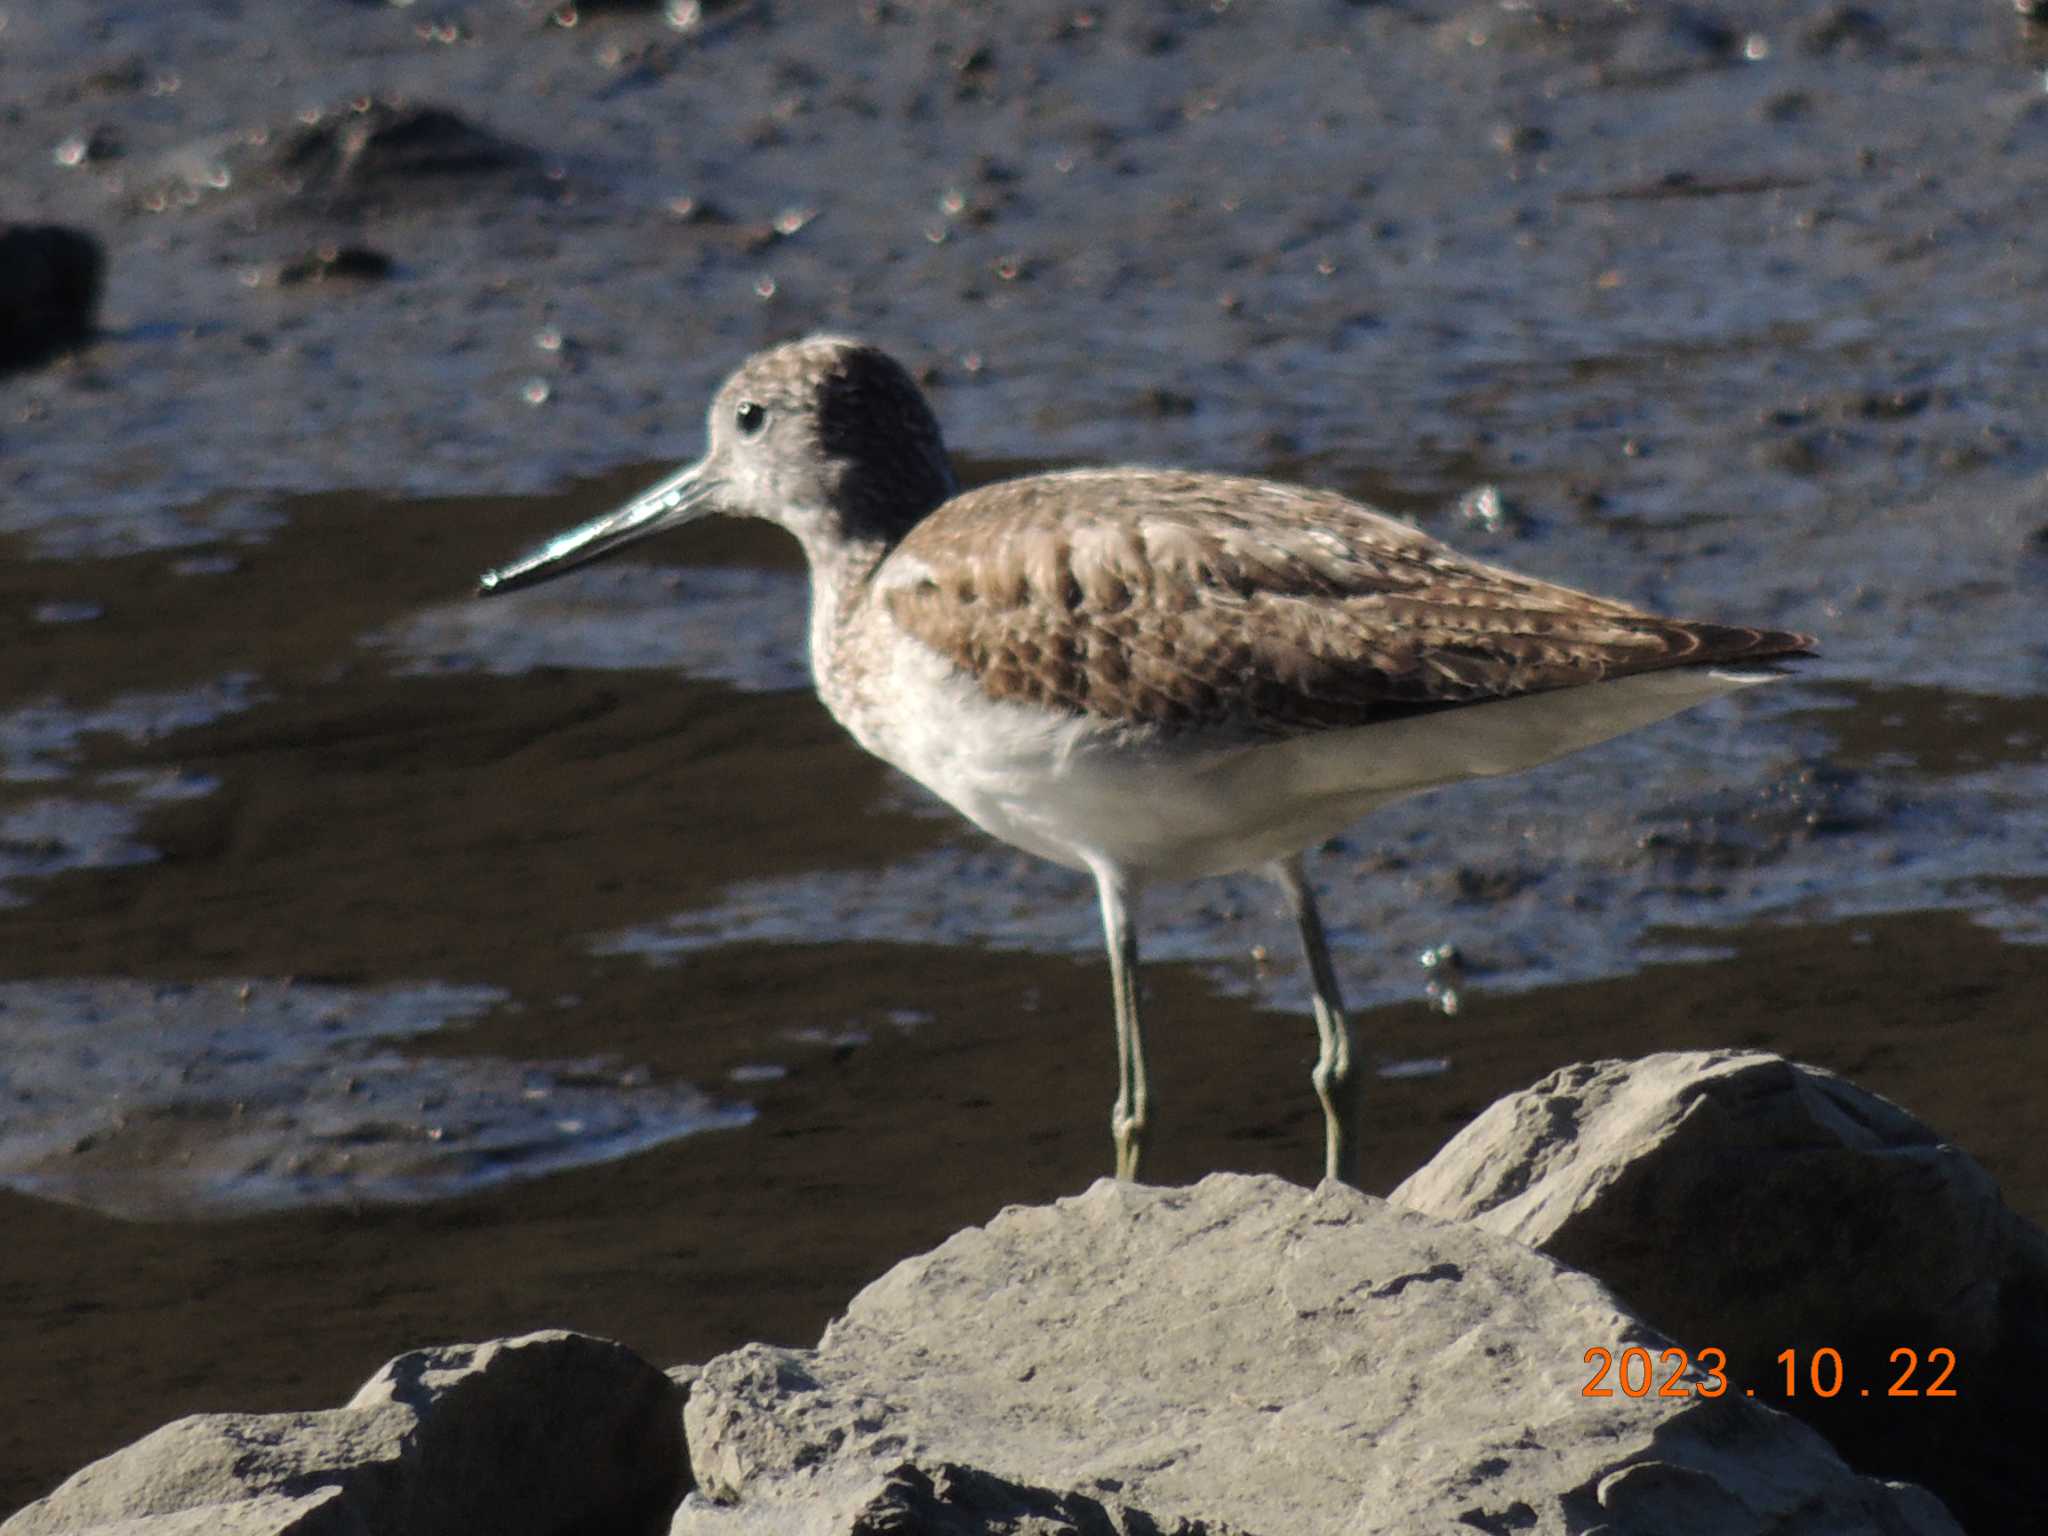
(1254, 1357)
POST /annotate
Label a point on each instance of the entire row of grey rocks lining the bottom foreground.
(1250, 1357)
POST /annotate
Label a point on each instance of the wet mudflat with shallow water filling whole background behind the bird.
(306, 859)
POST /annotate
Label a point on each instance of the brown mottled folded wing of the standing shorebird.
(1213, 603)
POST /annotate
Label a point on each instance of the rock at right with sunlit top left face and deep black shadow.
(1754, 1205)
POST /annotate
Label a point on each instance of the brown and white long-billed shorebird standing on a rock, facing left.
(1152, 675)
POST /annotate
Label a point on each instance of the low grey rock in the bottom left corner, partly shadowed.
(550, 1433)
